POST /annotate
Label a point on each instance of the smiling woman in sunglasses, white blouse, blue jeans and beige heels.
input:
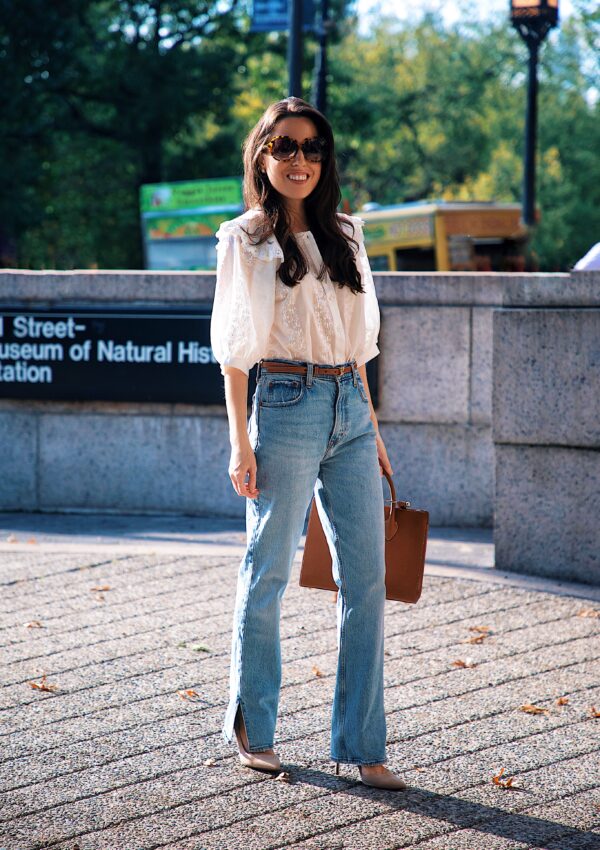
(295, 294)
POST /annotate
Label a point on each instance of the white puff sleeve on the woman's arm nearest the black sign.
(244, 302)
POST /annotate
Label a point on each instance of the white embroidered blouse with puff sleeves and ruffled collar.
(255, 315)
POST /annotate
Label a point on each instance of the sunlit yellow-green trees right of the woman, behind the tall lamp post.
(427, 111)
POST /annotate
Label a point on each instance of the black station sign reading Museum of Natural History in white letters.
(114, 355)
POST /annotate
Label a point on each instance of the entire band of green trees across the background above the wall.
(100, 96)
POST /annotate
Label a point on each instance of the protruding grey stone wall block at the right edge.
(546, 429)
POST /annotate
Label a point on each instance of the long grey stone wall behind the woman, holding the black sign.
(435, 410)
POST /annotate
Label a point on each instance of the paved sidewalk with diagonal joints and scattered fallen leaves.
(115, 759)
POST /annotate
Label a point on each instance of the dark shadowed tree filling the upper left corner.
(96, 92)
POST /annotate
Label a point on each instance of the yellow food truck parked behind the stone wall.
(445, 236)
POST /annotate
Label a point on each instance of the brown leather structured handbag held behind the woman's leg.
(405, 543)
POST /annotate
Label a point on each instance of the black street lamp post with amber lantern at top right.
(533, 19)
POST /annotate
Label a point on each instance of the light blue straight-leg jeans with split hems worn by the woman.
(313, 434)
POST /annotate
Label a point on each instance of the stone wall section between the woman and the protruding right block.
(435, 410)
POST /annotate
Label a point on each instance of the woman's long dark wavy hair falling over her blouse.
(320, 206)
